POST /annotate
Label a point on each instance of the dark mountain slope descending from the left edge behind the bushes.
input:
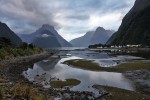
(6, 32)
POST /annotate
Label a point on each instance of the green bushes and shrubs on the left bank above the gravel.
(8, 50)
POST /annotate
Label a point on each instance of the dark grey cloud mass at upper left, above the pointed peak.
(27, 12)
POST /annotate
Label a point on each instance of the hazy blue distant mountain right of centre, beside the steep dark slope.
(100, 36)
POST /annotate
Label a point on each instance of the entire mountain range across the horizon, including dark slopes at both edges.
(135, 29)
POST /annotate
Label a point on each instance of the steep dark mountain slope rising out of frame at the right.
(135, 27)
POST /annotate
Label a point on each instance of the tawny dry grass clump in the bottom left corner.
(22, 91)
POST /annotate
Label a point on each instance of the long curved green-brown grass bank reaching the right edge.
(89, 65)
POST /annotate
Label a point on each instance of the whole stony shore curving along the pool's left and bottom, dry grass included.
(13, 84)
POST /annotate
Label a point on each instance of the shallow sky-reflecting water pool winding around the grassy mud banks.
(49, 69)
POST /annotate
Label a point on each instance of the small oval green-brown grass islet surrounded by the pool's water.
(68, 82)
